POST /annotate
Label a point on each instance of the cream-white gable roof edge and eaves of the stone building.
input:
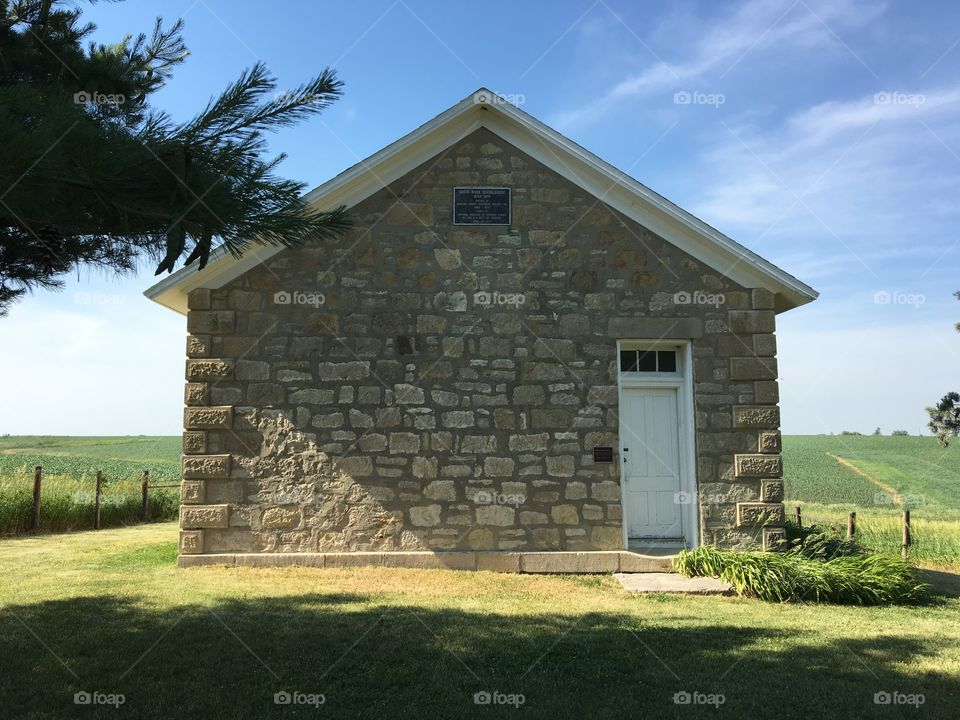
(484, 108)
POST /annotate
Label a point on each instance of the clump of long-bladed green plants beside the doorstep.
(859, 579)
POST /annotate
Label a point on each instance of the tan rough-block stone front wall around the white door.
(416, 385)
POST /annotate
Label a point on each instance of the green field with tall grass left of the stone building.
(70, 465)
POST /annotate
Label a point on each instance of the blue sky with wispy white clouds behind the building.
(824, 135)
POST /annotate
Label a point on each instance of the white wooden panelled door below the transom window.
(650, 443)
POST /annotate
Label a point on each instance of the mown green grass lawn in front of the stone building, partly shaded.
(109, 612)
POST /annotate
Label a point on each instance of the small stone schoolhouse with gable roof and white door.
(518, 359)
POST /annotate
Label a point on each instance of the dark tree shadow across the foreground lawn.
(367, 659)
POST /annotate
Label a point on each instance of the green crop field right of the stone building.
(829, 476)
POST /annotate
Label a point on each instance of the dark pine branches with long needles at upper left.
(93, 175)
